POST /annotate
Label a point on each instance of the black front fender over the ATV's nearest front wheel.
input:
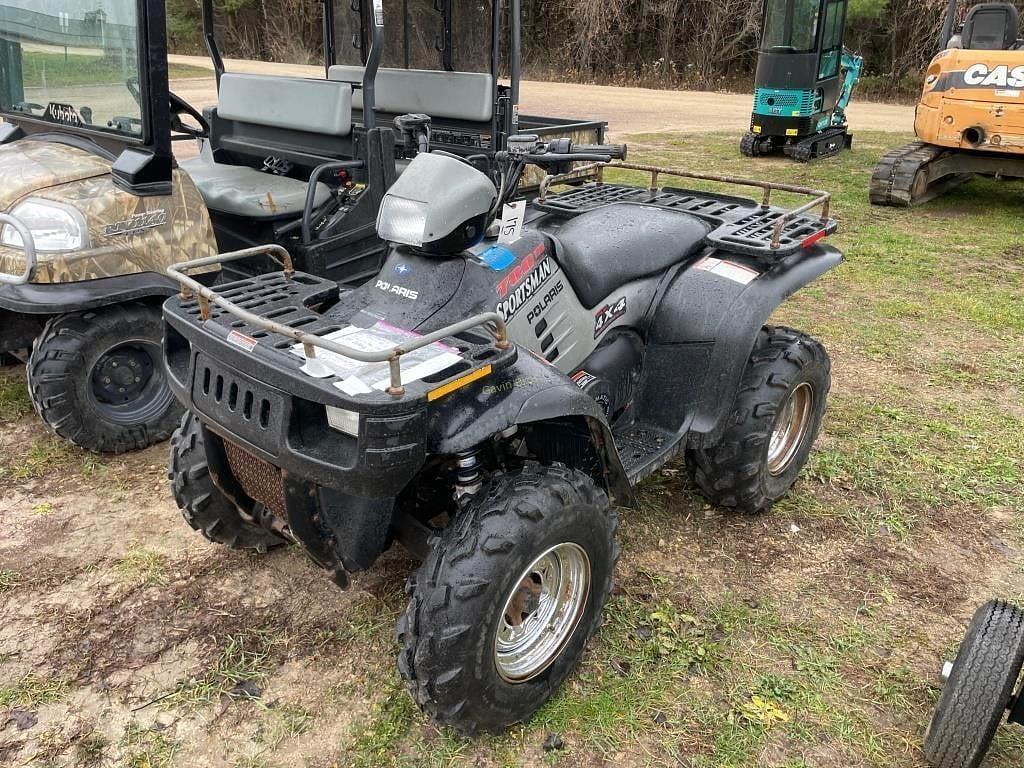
(564, 423)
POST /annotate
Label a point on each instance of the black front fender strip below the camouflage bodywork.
(61, 298)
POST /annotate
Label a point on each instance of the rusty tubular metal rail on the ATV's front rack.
(207, 297)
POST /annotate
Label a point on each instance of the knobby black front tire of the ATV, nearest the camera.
(458, 599)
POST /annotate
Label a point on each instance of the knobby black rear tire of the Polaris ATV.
(740, 472)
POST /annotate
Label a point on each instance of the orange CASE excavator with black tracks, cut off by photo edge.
(970, 119)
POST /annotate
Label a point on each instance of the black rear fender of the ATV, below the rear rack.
(704, 330)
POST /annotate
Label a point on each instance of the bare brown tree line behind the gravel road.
(656, 44)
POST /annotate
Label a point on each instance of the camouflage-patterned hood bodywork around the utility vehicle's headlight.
(127, 234)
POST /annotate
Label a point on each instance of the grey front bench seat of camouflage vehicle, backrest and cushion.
(318, 107)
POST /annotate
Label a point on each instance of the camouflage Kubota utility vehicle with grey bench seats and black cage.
(95, 206)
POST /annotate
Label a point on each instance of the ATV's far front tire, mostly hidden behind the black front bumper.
(202, 504)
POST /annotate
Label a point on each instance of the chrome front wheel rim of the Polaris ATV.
(541, 615)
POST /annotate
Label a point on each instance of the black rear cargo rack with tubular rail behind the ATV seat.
(740, 224)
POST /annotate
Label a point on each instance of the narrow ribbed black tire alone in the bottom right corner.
(980, 686)
